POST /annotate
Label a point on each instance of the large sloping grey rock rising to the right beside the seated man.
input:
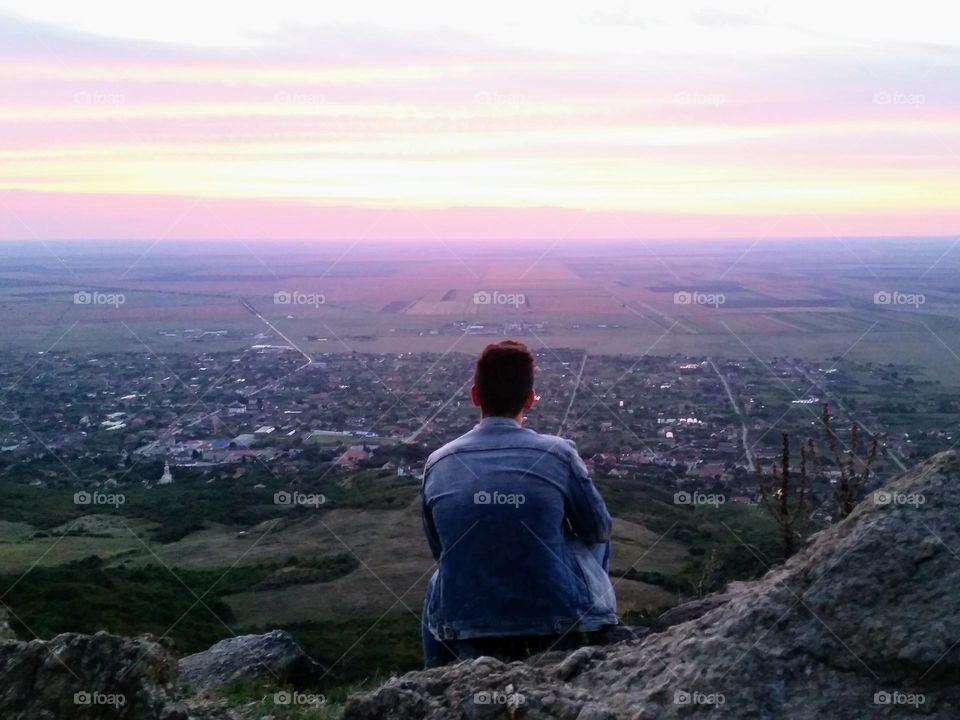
(863, 623)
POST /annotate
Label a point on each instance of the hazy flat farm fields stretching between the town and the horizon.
(802, 298)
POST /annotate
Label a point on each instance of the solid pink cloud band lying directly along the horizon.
(65, 216)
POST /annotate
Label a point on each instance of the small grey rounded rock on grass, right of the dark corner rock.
(273, 656)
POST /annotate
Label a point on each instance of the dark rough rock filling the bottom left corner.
(83, 677)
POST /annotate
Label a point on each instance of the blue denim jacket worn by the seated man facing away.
(520, 535)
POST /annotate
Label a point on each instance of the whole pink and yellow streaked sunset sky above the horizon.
(471, 121)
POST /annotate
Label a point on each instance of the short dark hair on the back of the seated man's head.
(504, 377)
